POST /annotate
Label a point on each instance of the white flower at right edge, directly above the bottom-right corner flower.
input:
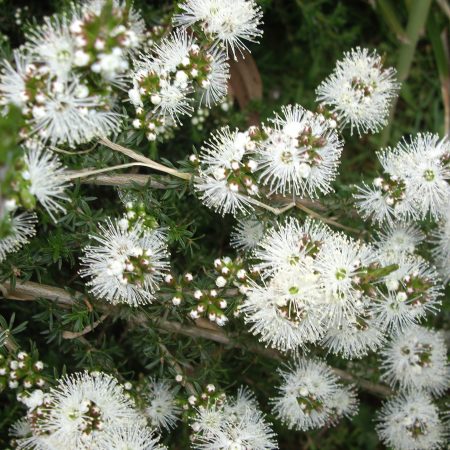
(417, 360)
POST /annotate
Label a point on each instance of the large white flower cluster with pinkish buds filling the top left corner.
(62, 79)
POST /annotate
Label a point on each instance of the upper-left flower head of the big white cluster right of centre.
(290, 244)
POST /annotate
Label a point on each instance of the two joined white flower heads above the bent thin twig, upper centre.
(297, 154)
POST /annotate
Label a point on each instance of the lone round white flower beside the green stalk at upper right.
(360, 91)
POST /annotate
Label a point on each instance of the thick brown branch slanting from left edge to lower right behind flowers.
(28, 289)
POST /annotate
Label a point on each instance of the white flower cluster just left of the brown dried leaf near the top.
(163, 81)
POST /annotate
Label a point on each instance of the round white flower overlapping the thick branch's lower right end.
(308, 396)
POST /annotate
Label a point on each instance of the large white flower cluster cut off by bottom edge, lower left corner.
(83, 411)
